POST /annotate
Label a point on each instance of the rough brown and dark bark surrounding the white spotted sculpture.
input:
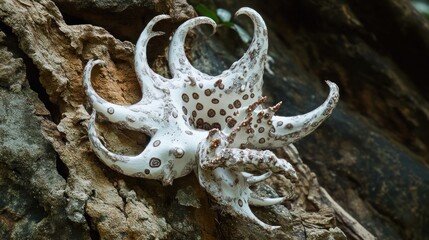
(371, 155)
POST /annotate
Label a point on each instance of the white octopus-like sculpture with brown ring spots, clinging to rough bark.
(213, 125)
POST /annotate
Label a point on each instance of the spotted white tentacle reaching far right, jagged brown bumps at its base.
(265, 130)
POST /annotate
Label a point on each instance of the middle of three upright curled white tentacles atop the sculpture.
(178, 62)
